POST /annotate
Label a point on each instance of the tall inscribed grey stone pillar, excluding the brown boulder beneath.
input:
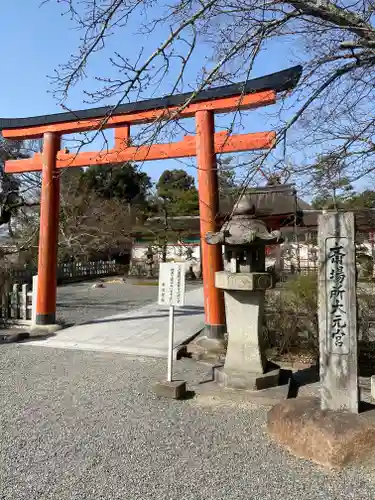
(338, 312)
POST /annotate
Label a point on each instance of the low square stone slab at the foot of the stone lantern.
(237, 379)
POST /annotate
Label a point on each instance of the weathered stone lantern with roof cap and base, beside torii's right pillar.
(244, 282)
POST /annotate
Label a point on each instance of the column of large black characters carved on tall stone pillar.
(336, 279)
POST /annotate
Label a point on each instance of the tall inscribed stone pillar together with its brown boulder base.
(330, 430)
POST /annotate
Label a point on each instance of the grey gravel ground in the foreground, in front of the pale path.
(80, 425)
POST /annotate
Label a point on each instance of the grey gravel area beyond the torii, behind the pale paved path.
(78, 303)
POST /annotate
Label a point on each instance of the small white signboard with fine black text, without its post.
(171, 284)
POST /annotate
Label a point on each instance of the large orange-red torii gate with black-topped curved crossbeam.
(205, 145)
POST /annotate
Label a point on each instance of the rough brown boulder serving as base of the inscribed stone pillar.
(329, 438)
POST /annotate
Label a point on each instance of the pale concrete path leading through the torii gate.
(142, 332)
